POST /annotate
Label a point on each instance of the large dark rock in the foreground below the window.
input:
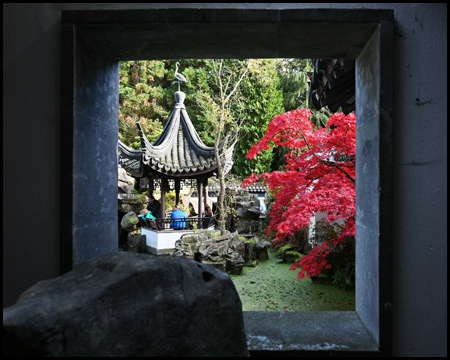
(128, 304)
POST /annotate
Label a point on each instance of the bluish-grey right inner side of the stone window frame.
(368, 183)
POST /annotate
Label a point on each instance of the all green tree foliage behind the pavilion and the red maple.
(271, 87)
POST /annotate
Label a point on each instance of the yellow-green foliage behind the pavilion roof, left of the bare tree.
(146, 94)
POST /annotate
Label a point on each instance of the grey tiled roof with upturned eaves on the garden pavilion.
(178, 152)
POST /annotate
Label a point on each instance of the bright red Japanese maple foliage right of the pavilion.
(319, 177)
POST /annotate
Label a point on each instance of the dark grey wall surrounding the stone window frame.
(31, 159)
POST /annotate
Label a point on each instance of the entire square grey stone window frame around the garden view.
(92, 44)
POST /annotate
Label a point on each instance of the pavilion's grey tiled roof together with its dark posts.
(176, 158)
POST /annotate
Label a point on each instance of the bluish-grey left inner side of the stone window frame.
(95, 153)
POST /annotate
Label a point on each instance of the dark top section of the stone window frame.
(167, 33)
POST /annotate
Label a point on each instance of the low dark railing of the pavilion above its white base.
(175, 224)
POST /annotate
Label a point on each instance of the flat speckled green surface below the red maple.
(270, 286)
